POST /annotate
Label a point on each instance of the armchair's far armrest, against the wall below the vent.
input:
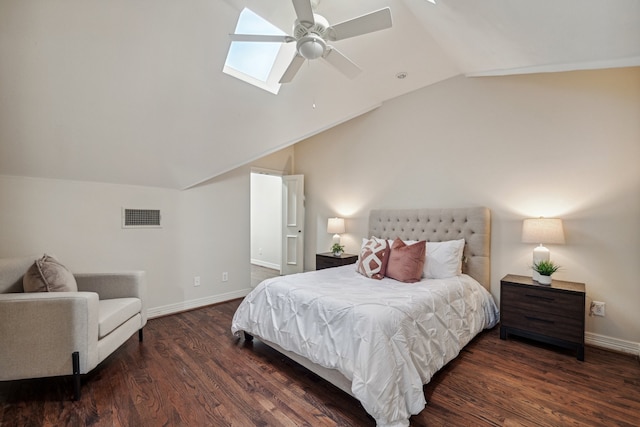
(116, 285)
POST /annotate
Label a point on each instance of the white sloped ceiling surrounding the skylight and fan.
(132, 92)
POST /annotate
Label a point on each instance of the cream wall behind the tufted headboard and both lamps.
(564, 145)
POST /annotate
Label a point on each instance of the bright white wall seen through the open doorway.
(266, 220)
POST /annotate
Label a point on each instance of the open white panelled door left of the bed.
(292, 224)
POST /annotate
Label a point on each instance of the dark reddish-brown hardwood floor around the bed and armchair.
(190, 371)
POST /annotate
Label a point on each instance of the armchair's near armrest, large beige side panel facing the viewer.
(39, 331)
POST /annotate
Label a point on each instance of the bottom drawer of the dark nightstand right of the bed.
(544, 323)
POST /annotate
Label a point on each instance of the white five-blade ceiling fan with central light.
(312, 32)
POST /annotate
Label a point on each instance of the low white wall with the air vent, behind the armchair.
(80, 222)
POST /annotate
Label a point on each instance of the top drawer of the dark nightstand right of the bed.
(555, 303)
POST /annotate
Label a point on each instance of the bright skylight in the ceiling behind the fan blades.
(255, 62)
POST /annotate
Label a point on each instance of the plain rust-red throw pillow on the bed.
(406, 261)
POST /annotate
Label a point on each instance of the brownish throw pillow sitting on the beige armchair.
(48, 275)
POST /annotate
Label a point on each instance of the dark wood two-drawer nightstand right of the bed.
(553, 314)
